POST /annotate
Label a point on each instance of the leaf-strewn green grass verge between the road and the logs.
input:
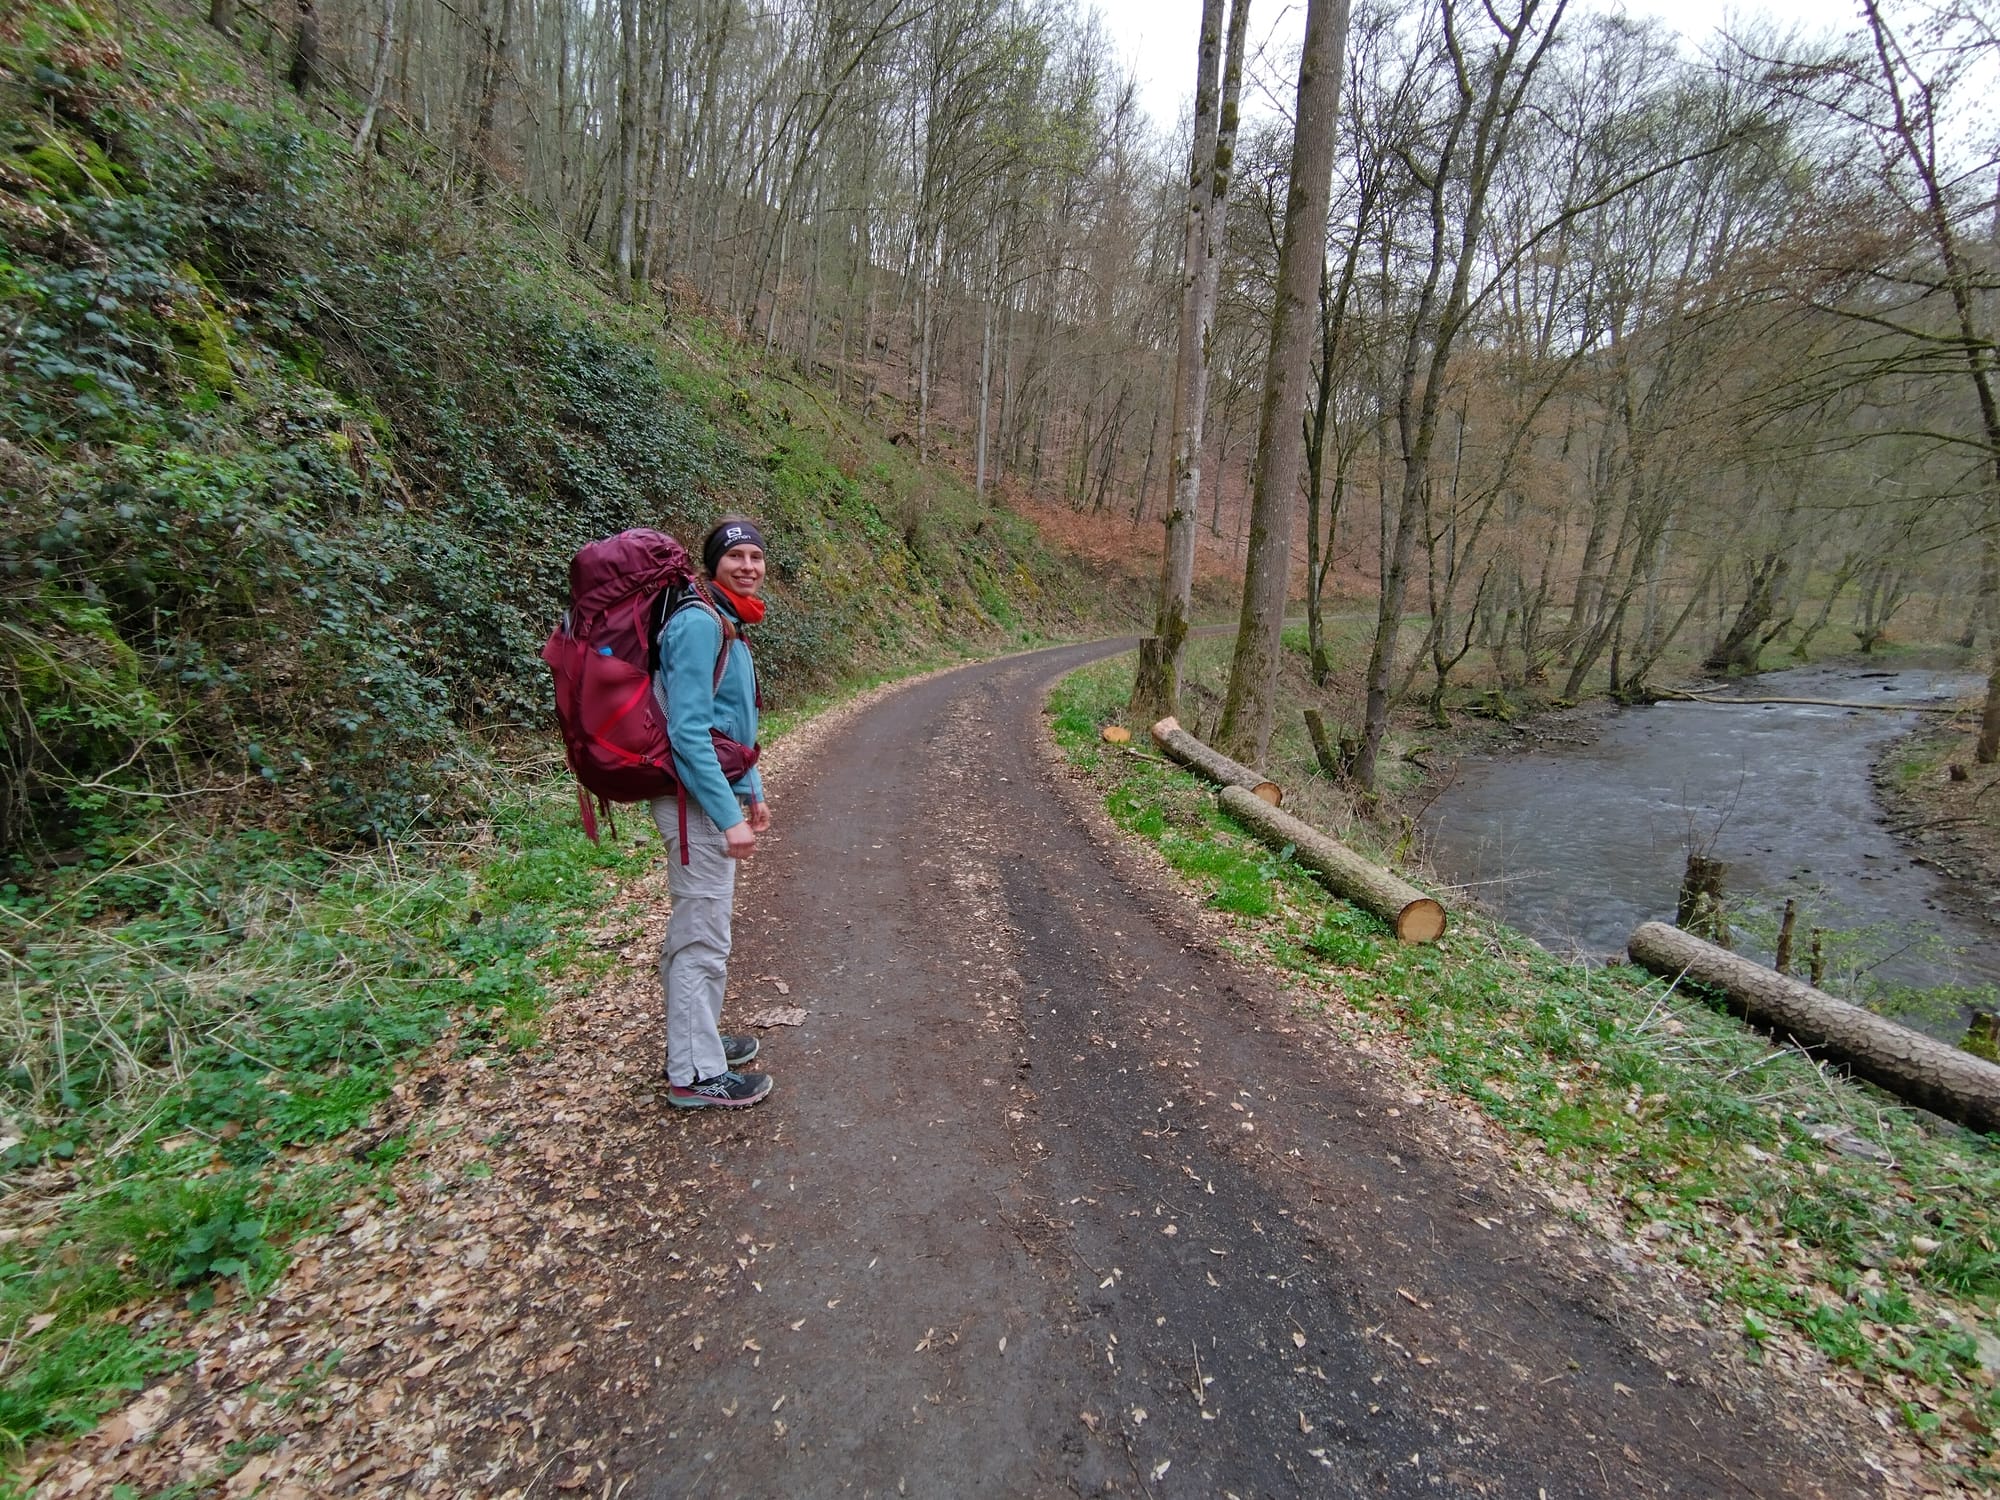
(1803, 1203)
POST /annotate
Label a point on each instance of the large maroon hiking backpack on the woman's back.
(613, 729)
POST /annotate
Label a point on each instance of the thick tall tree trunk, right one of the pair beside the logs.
(1251, 703)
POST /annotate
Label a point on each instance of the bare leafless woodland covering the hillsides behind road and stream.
(1621, 351)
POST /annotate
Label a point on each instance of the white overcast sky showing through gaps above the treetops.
(1157, 37)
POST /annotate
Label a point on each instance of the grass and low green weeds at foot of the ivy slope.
(199, 1035)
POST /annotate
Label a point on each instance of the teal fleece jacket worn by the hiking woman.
(697, 703)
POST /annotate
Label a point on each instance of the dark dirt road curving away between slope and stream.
(1053, 1201)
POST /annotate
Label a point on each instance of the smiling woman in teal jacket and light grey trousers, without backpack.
(709, 687)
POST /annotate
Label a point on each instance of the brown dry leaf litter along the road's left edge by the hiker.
(451, 1335)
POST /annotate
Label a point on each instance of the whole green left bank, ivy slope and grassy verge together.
(295, 453)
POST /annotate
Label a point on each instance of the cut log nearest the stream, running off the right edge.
(1909, 1065)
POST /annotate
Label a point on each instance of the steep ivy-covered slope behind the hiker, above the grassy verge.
(297, 451)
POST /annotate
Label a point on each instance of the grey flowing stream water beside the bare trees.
(1581, 845)
